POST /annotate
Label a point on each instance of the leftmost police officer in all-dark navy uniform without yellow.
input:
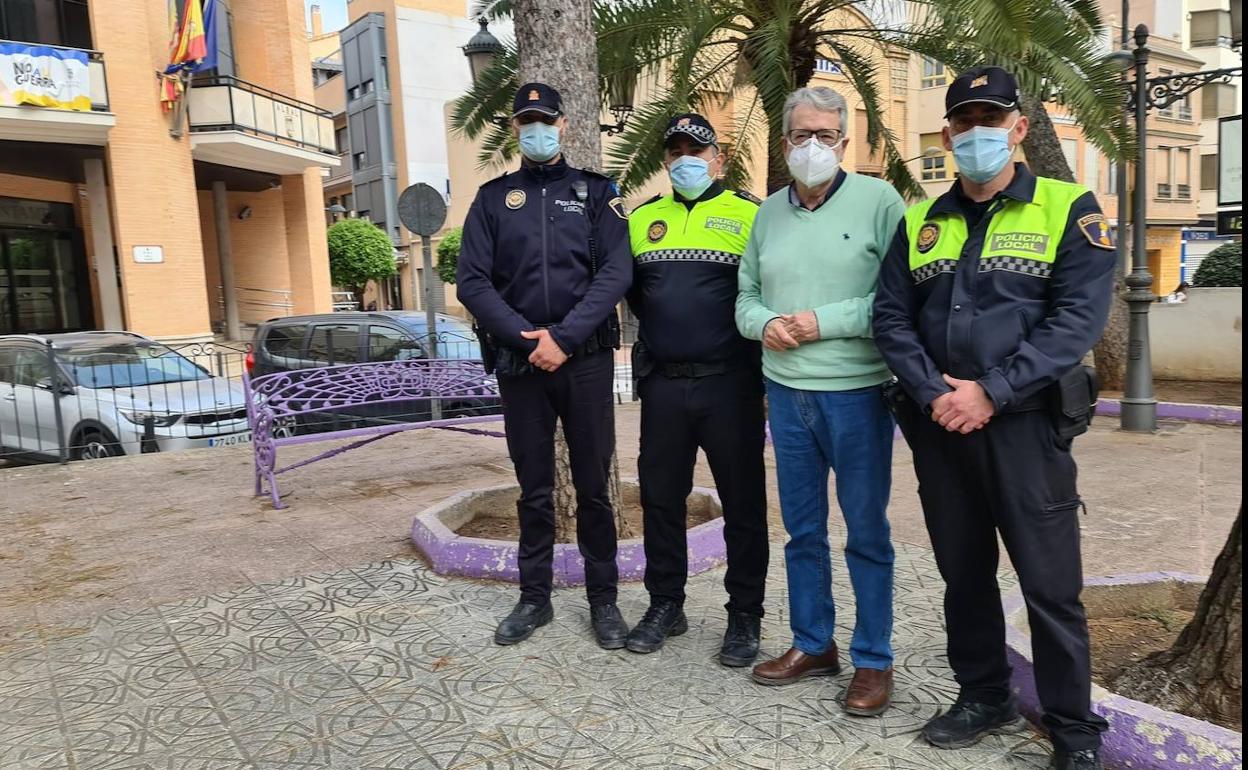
(544, 264)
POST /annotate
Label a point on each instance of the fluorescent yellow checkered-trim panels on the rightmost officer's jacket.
(1021, 238)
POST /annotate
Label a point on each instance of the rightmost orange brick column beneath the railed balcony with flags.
(306, 248)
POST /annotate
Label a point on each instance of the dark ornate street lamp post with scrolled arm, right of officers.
(1139, 402)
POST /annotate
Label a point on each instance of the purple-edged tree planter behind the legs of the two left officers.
(452, 555)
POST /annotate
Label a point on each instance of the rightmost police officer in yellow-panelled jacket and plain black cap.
(989, 299)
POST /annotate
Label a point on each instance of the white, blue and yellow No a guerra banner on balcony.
(44, 77)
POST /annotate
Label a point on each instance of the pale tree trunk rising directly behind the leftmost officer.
(557, 47)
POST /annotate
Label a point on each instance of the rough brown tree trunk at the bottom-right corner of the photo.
(1202, 675)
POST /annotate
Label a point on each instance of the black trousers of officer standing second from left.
(723, 415)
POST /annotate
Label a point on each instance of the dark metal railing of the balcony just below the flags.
(229, 104)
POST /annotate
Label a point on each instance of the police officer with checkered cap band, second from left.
(701, 385)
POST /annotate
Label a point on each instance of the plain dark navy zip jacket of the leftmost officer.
(525, 261)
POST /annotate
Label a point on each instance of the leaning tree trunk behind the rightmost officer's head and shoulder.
(1045, 158)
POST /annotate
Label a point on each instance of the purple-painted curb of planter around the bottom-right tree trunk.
(1141, 737)
